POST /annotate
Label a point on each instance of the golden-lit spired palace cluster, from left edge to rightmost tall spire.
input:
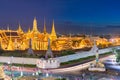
(19, 40)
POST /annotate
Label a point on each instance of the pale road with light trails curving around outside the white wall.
(59, 70)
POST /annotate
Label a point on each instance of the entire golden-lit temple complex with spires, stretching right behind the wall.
(19, 40)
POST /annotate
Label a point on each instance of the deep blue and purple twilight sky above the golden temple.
(70, 16)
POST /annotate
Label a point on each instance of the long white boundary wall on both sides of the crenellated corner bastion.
(61, 59)
